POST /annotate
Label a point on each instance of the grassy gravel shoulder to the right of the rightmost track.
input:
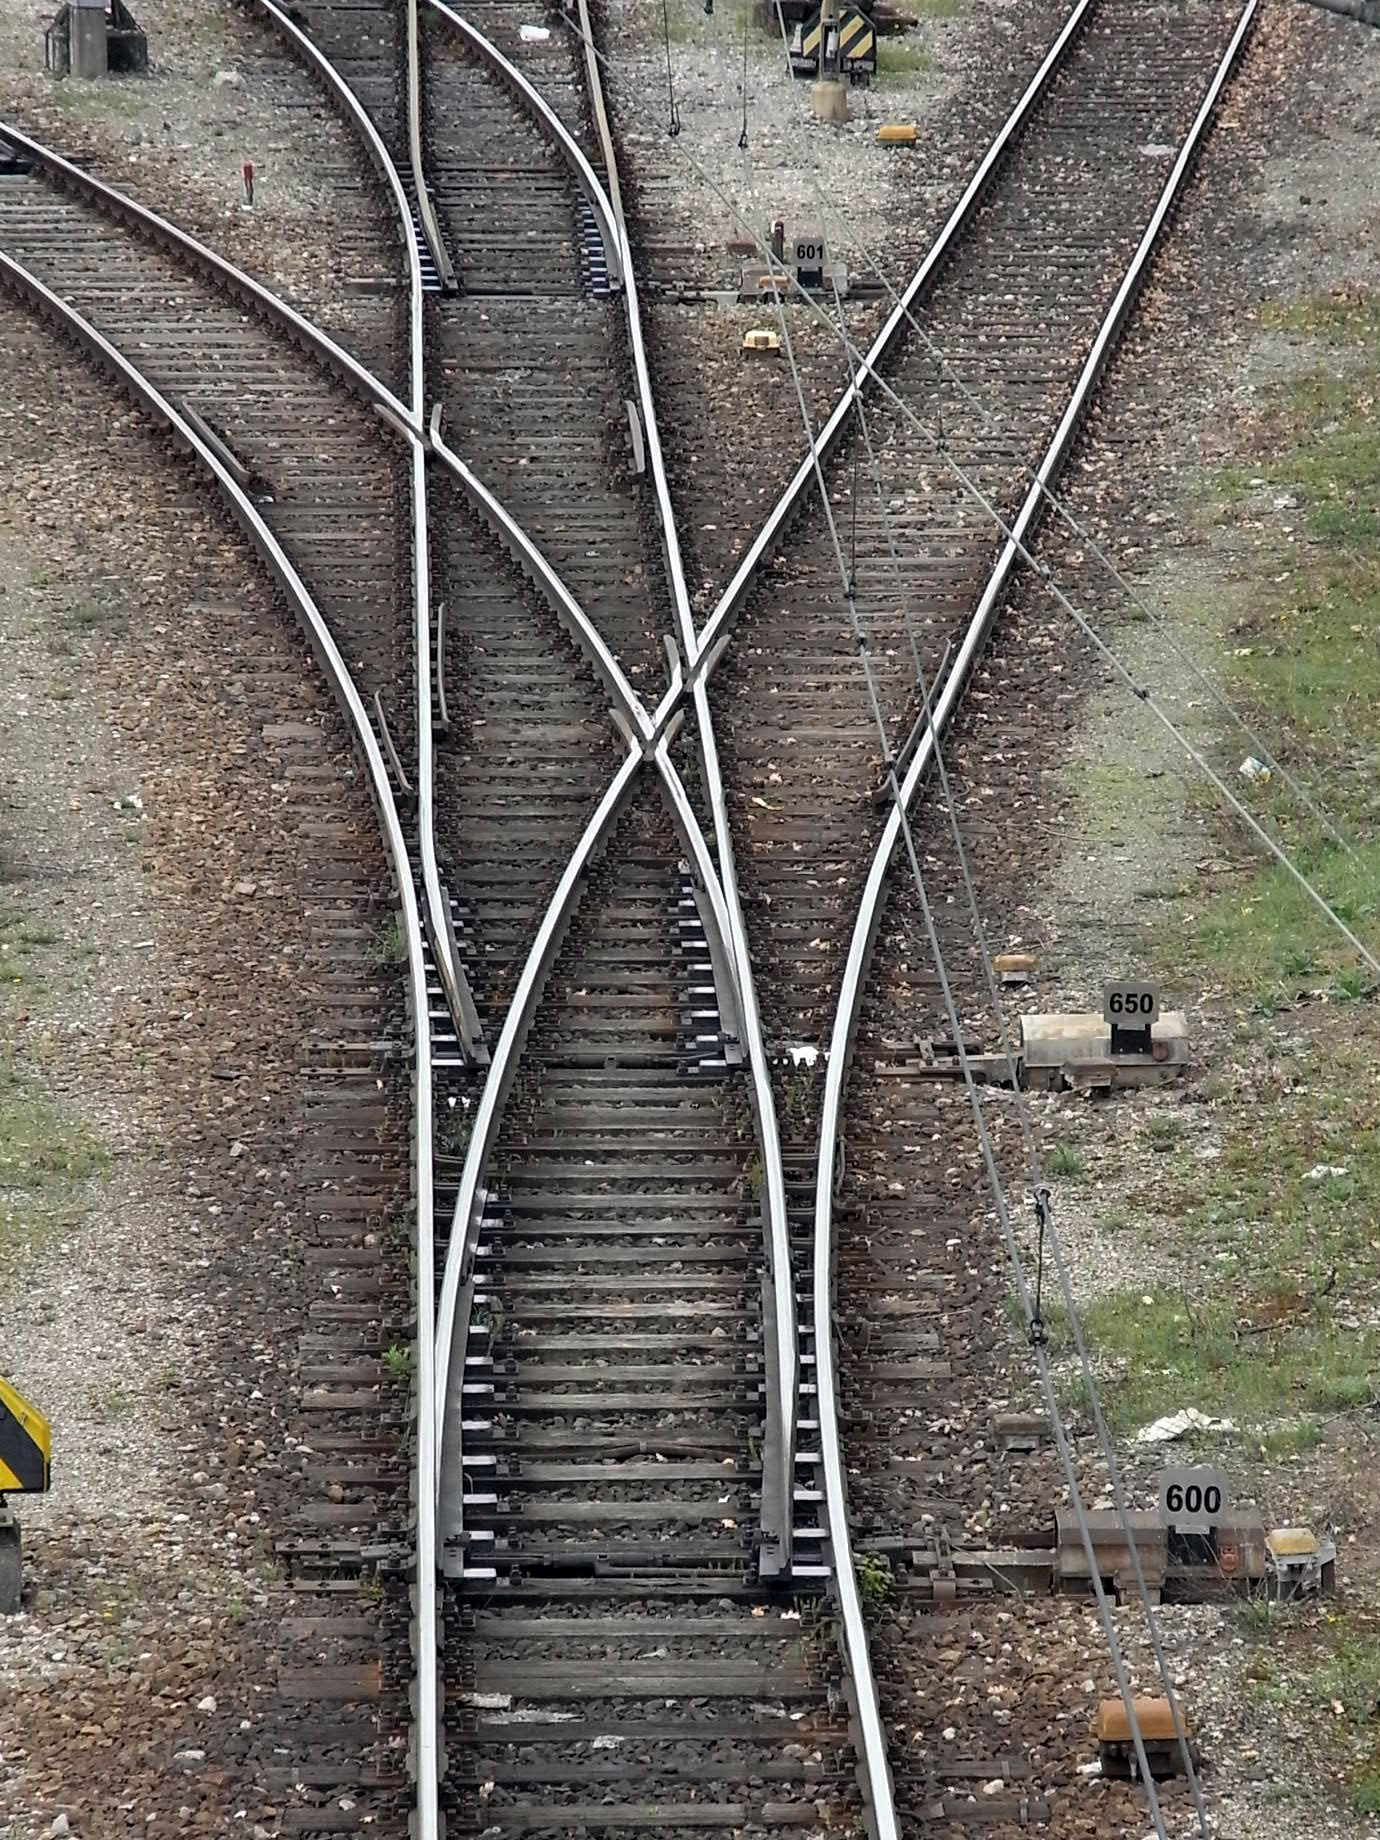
(1219, 1230)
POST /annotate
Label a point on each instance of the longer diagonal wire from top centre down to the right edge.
(1042, 569)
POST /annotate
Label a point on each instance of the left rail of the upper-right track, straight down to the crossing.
(925, 277)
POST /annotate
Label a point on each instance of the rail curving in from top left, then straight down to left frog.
(439, 917)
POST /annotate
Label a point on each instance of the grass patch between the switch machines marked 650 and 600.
(1272, 1320)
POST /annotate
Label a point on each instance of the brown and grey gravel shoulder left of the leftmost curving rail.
(161, 995)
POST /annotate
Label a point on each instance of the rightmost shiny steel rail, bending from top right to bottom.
(869, 914)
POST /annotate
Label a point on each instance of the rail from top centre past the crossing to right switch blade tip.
(779, 1287)
